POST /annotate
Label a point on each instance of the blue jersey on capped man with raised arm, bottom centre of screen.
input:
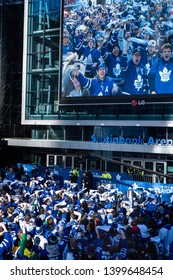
(96, 86)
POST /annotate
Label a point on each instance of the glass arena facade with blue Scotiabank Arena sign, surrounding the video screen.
(133, 130)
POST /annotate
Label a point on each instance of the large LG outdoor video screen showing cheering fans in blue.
(117, 49)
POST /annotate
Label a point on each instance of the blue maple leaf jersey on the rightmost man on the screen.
(161, 76)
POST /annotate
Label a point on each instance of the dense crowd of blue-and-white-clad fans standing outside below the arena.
(43, 220)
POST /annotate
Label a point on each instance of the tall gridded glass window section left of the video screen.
(43, 54)
